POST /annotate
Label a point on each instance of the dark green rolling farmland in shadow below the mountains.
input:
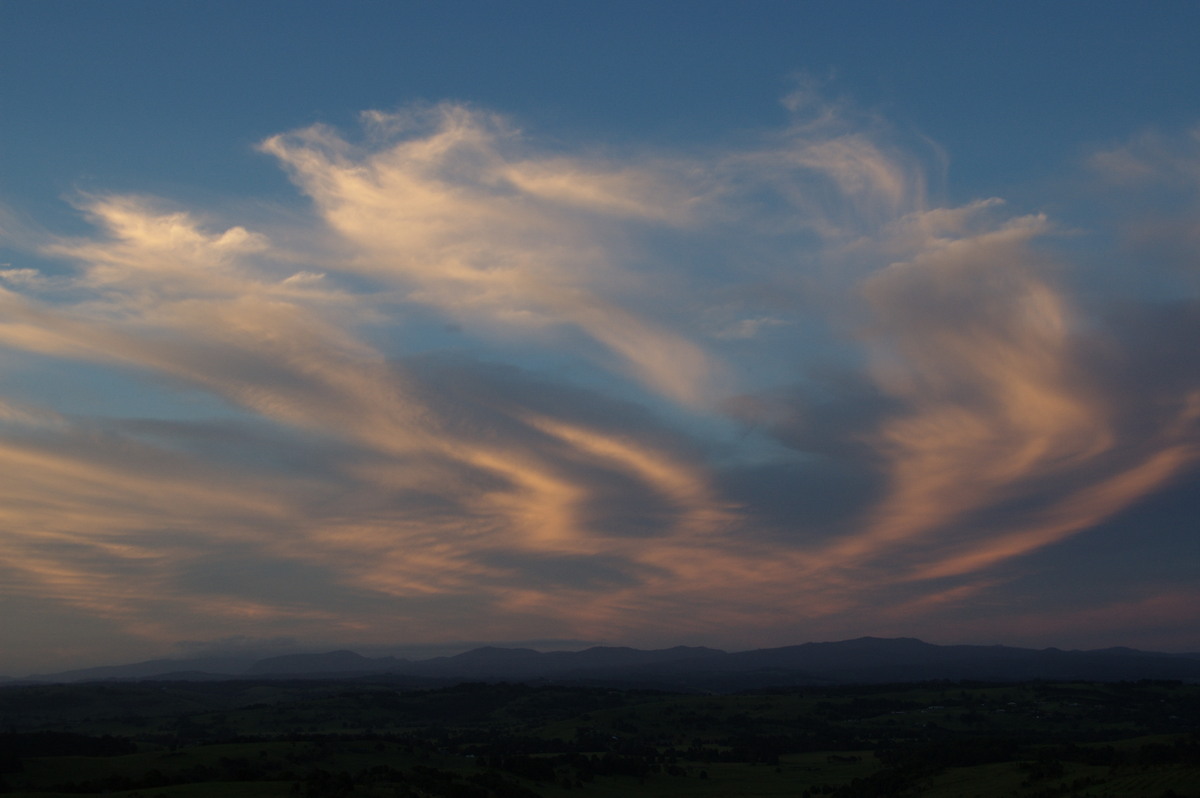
(177, 740)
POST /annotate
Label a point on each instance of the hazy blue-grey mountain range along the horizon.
(863, 661)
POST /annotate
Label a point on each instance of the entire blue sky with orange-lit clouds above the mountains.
(415, 326)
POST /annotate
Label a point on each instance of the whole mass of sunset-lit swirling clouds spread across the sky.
(621, 337)
